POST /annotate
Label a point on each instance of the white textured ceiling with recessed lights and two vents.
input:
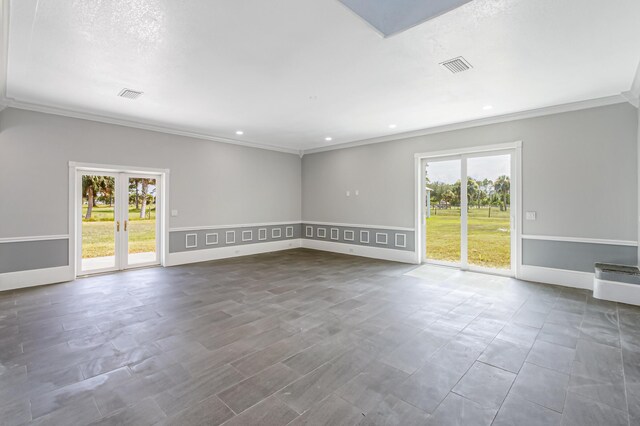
(291, 72)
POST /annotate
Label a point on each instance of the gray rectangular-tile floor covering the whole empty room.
(305, 337)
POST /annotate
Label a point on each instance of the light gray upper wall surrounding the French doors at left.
(210, 183)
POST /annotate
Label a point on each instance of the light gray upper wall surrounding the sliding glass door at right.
(592, 152)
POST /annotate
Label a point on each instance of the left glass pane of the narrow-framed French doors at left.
(99, 223)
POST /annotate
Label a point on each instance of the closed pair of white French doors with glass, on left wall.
(118, 221)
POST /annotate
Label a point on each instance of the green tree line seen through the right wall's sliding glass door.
(480, 193)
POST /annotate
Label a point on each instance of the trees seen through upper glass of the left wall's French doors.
(101, 189)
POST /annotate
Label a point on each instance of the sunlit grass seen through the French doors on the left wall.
(98, 237)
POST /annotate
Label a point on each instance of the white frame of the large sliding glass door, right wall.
(420, 160)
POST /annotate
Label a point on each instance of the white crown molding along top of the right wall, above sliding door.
(521, 115)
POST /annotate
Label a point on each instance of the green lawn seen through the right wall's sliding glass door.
(489, 237)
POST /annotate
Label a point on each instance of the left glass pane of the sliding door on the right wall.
(443, 222)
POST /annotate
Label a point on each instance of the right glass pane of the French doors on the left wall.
(141, 221)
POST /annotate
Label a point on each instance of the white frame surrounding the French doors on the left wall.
(76, 170)
